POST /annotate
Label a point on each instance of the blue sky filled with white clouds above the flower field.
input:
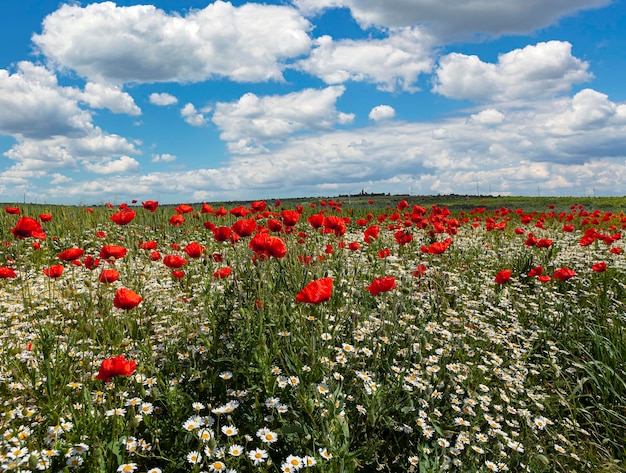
(214, 101)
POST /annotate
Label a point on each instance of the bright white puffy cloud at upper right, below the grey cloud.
(536, 71)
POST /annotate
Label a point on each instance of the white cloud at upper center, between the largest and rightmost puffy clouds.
(393, 63)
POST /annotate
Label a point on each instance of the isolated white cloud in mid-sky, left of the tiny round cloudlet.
(252, 121)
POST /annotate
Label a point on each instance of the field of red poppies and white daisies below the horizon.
(316, 337)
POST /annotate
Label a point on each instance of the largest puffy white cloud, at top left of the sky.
(109, 44)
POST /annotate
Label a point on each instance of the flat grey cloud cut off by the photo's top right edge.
(457, 19)
